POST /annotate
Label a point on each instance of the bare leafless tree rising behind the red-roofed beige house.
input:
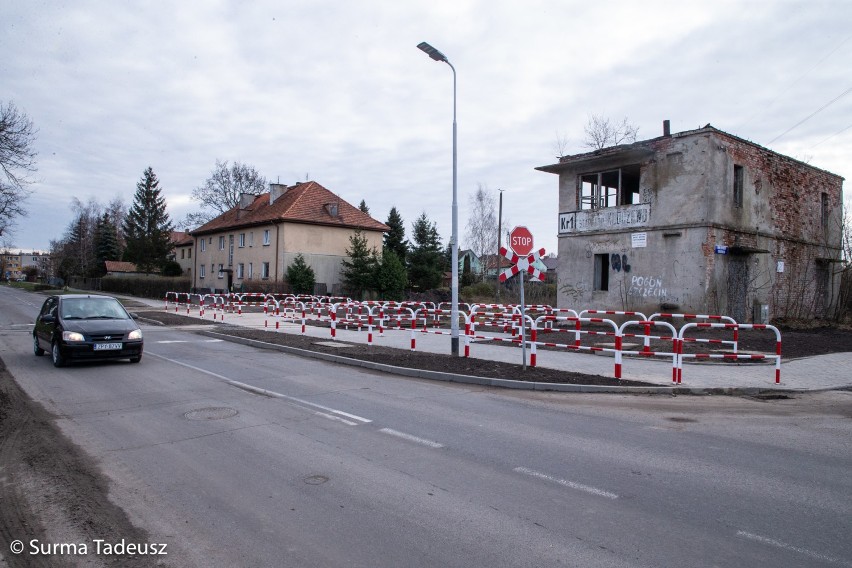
(221, 192)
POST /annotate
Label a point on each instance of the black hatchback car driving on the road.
(77, 327)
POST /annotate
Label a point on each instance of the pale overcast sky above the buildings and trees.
(337, 92)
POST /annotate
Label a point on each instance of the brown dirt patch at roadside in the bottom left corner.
(52, 492)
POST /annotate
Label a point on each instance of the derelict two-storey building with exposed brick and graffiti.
(698, 222)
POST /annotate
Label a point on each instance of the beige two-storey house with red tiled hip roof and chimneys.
(250, 246)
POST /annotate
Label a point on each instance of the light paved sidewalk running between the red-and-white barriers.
(823, 372)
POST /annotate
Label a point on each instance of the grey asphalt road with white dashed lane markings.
(243, 457)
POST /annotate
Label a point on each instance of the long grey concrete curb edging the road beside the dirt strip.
(501, 383)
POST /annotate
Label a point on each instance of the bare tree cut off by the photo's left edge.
(17, 160)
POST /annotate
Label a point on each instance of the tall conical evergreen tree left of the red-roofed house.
(147, 226)
